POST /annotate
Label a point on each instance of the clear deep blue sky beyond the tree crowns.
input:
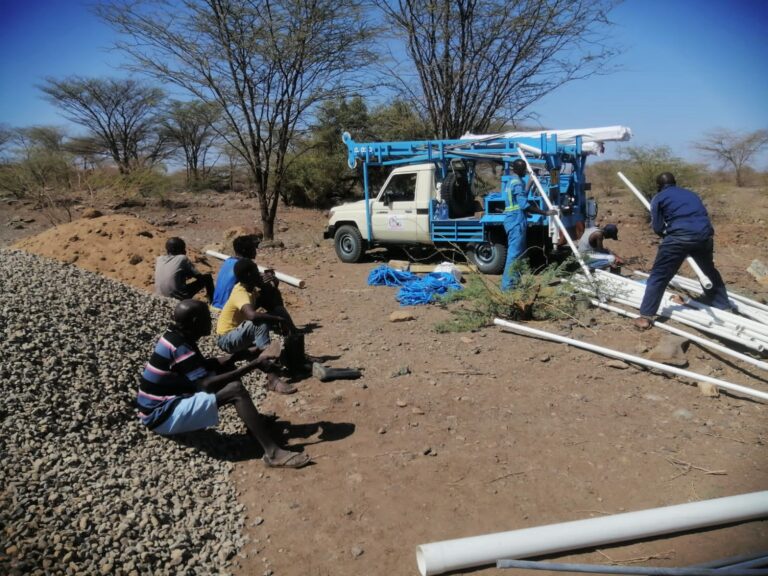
(688, 66)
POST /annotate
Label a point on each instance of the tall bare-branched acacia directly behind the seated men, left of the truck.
(265, 63)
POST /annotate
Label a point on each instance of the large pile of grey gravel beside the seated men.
(85, 489)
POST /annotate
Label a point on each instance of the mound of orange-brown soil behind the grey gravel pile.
(117, 246)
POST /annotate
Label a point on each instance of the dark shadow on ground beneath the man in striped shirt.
(241, 447)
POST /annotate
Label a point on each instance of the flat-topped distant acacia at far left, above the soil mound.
(121, 113)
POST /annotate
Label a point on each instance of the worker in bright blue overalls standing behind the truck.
(516, 210)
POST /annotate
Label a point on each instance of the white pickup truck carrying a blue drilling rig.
(427, 198)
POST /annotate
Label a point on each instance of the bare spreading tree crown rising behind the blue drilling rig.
(483, 61)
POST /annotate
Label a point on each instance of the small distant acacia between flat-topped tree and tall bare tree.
(190, 127)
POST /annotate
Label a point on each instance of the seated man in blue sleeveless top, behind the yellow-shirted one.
(271, 299)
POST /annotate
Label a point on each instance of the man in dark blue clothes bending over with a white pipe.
(678, 215)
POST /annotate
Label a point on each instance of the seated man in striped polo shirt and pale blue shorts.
(182, 391)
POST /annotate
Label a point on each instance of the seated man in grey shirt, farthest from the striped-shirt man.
(173, 270)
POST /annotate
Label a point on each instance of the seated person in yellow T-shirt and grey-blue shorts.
(242, 328)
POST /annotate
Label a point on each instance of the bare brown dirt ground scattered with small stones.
(452, 435)
